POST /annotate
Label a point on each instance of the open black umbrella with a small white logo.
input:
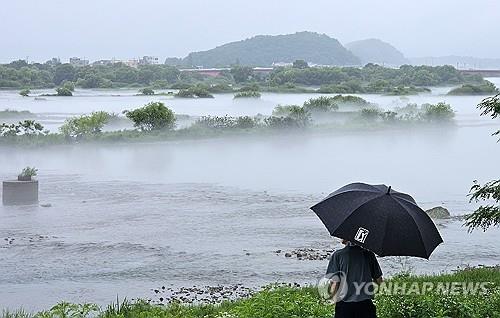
(382, 220)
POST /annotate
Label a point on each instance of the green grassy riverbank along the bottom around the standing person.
(284, 302)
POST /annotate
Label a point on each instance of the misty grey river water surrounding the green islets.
(126, 218)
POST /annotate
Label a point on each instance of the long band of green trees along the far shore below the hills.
(371, 78)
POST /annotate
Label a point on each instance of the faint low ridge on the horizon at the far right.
(461, 62)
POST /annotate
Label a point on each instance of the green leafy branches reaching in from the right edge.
(486, 215)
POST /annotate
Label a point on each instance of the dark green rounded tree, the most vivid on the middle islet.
(152, 116)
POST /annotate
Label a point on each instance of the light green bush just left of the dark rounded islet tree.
(85, 125)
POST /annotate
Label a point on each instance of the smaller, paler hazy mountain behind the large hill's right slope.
(377, 51)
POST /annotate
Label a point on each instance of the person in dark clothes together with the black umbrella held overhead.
(370, 219)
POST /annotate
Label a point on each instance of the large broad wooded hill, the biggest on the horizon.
(264, 50)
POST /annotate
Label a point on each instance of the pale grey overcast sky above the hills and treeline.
(98, 29)
